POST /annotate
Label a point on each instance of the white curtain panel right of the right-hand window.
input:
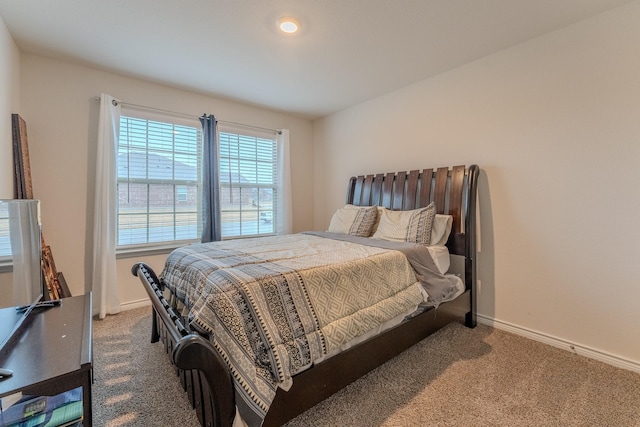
(284, 223)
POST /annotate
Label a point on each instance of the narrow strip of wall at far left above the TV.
(9, 104)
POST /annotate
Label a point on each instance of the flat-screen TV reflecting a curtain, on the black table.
(21, 284)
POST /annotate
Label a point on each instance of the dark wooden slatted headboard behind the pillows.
(453, 190)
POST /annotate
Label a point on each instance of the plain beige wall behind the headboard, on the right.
(554, 124)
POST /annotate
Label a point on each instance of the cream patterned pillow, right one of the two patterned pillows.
(406, 226)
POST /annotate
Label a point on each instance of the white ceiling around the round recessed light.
(347, 51)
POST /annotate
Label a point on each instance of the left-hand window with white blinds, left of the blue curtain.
(159, 185)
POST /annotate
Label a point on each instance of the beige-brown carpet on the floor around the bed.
(457, 377)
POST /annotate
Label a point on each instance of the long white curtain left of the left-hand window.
(105, 280)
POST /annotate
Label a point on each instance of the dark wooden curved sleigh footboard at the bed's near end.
(204, 375)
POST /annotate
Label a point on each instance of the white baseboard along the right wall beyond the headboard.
(581, 350)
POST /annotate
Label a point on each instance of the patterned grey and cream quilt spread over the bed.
(274, 305)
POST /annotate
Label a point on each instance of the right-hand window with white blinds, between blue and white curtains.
(248, 183)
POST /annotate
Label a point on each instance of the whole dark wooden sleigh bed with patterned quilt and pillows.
(307, 366)
